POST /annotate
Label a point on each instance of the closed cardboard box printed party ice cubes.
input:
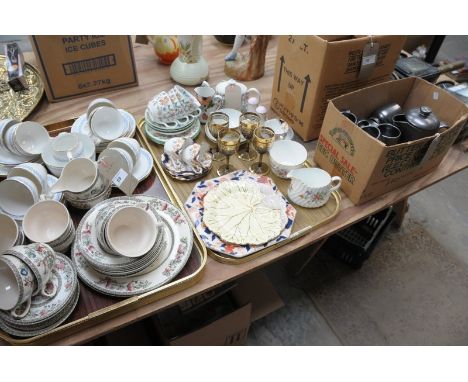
(73, 66)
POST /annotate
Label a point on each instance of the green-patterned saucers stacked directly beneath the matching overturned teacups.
(160, 133)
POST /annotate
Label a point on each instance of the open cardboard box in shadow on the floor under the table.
(219, 318)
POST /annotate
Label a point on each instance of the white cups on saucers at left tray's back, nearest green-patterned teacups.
(103, 123)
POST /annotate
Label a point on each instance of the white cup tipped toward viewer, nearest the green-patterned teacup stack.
(107, 123)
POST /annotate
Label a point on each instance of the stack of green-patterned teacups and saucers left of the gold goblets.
(172, 114)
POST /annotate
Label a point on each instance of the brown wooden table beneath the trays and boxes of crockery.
(153, 78)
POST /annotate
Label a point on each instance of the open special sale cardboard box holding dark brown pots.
(367, 167)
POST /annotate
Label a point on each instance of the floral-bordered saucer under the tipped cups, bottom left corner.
(48, 309)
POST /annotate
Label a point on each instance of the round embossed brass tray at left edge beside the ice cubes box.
(18, 105)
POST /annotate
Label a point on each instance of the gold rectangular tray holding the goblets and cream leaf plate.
(306, 219)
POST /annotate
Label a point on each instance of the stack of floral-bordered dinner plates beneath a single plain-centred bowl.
(123, 276)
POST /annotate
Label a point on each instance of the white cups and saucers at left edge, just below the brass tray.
(20, 142)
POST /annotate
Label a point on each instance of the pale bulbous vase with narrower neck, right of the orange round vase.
(190, 68)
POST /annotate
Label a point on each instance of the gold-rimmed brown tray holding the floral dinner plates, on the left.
(94, 307)
